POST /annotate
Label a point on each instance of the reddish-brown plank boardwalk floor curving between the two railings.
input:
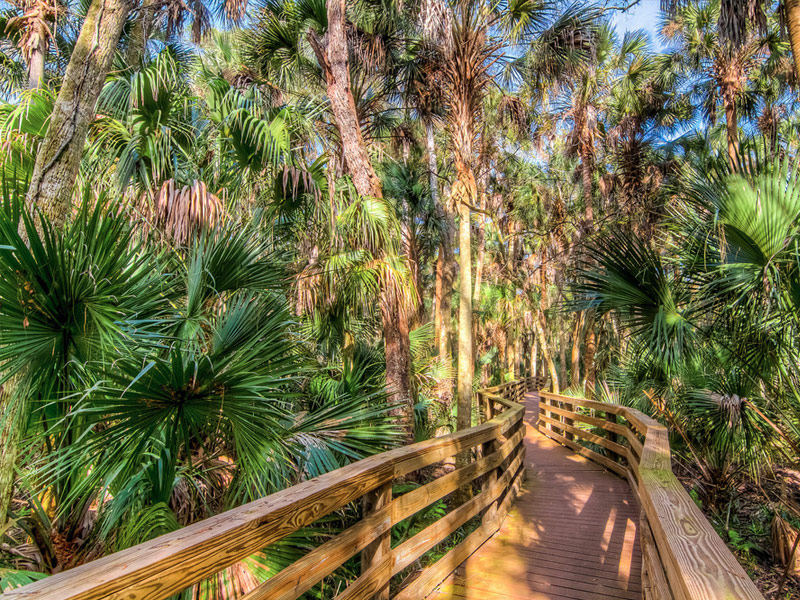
(573, 534)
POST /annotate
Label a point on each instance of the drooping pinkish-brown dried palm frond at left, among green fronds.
(182, 211)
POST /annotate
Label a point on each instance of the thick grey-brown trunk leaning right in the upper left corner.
(58, 160)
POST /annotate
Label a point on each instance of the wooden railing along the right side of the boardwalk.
(683, 557)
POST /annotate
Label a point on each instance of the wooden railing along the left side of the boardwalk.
(174, 562)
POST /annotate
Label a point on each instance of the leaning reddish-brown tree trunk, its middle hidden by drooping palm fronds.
(332, 53)
